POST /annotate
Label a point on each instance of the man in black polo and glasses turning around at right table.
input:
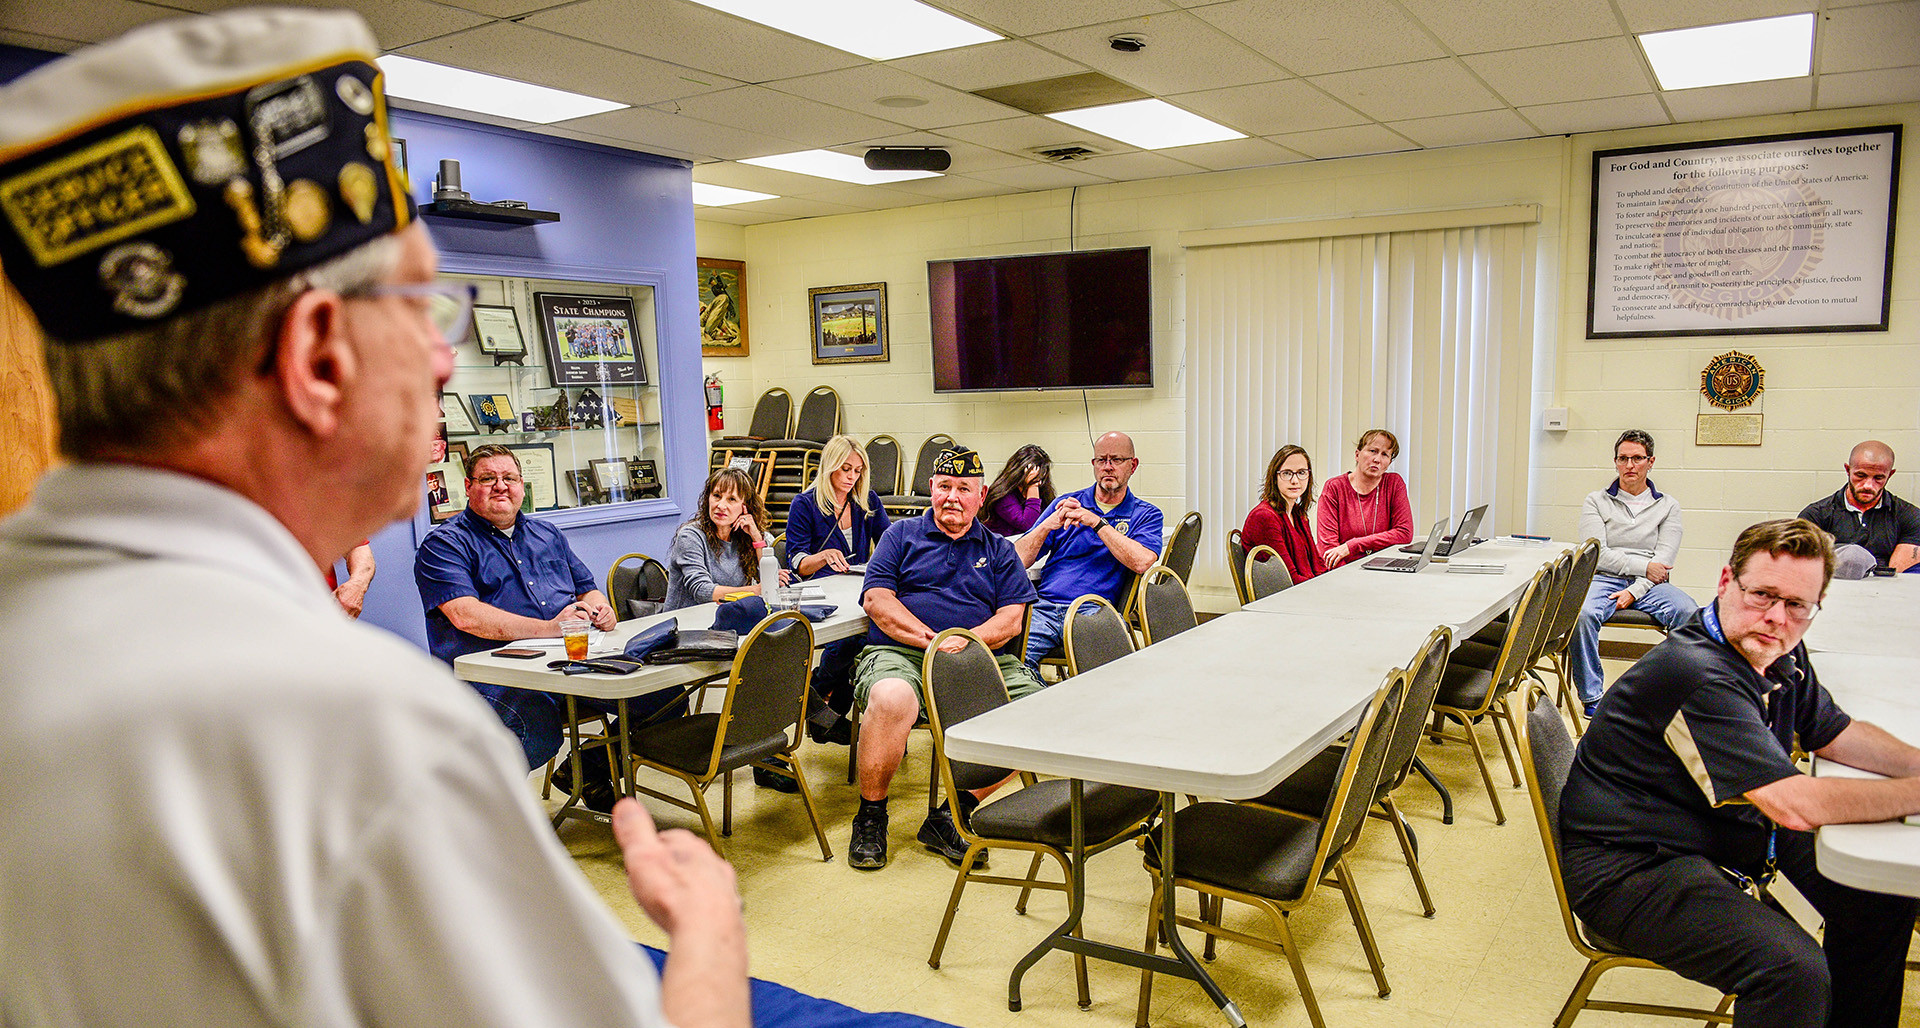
(1685, 791)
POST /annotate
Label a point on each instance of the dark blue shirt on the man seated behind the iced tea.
(531, 574)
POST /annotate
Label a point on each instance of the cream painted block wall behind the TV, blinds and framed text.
(1823, 391)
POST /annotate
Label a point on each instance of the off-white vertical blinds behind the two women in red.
(1314, 341)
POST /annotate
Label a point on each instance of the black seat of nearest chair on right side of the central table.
(1243, 848)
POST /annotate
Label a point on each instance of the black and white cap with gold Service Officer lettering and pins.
(189, 162)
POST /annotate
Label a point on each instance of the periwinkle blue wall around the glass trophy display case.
(625, 218)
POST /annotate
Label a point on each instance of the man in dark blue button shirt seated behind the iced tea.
(489, 575)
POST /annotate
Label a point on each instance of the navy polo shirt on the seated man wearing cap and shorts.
(948, 583)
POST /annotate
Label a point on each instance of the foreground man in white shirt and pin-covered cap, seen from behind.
(237, 806)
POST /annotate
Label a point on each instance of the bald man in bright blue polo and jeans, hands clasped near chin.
(1095, 541)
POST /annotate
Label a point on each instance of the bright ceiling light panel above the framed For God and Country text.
(1735, 53)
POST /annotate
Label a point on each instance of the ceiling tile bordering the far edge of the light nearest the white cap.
(565, 62)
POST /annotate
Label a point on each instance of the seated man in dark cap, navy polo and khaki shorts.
(938, 572)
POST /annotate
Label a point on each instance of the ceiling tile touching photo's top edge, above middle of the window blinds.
(1312, 37)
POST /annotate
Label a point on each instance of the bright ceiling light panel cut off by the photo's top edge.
(876, 30)
